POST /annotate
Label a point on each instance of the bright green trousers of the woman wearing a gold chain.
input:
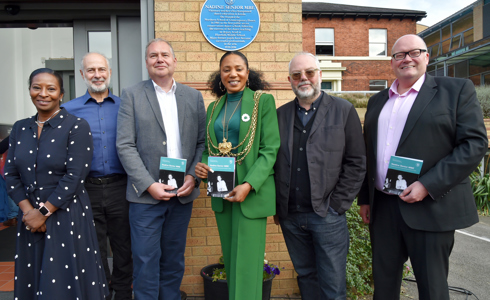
(243, 246)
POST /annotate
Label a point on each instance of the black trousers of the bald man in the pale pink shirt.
(393, 242)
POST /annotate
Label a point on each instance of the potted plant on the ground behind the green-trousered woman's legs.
(216, 288)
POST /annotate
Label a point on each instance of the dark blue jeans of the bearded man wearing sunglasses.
(318, 248)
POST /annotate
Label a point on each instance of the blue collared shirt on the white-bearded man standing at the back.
(102, 118)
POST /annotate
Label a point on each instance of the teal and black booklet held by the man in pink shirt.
(402, 172)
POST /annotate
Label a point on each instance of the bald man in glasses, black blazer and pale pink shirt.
(437, 120)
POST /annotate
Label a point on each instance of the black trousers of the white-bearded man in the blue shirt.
(111, 216)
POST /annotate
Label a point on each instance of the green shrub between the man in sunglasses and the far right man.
(359, 266)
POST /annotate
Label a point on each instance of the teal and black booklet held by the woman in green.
(221, 180)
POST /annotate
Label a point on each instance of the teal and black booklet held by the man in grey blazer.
(172, 172)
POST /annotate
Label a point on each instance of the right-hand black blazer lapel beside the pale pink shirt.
(425, 96)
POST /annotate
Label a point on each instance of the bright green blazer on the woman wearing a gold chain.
(257, 167)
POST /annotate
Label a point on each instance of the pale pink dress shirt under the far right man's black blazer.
(391, 122)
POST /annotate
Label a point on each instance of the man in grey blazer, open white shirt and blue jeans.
(159, 117)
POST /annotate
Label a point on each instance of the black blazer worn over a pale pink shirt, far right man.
(445, 129)
